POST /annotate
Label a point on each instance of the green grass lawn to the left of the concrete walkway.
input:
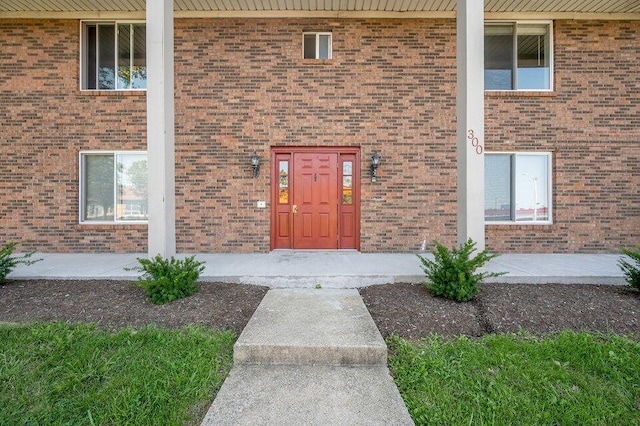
(64, 374)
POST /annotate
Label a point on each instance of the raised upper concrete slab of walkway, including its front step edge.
(311, 326)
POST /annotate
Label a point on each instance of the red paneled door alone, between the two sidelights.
(314, 203)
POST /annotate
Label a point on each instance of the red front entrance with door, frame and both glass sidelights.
(315, 198)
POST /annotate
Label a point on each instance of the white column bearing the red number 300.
(470, 115)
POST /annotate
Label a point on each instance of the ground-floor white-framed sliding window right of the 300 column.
(517, 187)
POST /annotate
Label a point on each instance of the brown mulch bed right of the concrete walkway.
(408, 310)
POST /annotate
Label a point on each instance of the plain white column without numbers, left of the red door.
(160, 128)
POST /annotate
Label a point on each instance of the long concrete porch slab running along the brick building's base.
(331, 269)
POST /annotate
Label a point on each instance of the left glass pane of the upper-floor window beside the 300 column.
(498, 57)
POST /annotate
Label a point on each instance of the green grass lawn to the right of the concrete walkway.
(566, 379)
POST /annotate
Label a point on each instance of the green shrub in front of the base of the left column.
(168, 280)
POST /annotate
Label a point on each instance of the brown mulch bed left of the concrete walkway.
(118, 304)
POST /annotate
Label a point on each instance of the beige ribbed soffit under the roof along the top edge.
(578, 9)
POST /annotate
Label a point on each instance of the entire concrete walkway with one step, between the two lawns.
(309, 357)
